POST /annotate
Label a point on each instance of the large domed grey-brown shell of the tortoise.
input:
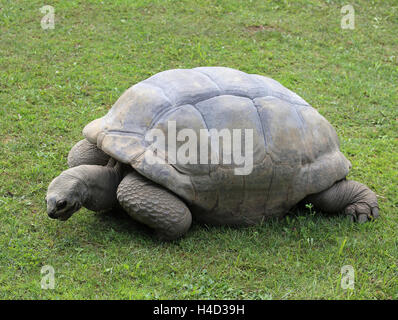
(295, 149)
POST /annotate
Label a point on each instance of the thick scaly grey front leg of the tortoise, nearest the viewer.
(154, 206)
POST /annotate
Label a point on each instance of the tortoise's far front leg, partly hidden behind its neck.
(84, 152)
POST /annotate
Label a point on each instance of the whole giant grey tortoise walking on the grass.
(296, 156)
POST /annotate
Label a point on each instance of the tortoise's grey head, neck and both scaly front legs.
(102, 188)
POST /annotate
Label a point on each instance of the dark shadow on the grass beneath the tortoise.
(298, 223)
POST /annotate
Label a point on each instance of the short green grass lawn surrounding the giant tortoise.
(53, 82)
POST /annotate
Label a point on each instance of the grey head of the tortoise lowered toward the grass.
(64, 196)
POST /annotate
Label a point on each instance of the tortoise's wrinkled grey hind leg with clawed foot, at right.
(350, 197)
